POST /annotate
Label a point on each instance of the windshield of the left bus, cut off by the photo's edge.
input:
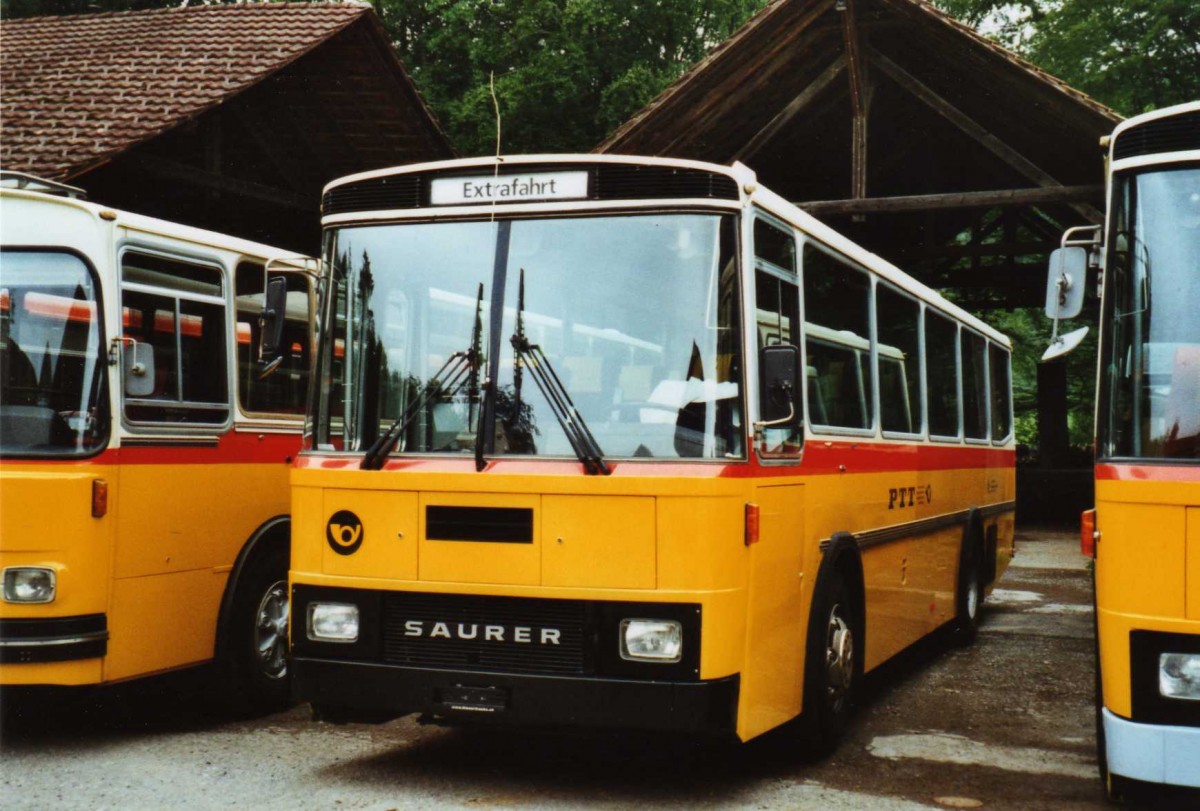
(52, 371)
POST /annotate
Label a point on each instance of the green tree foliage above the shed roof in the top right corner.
(1135, 56)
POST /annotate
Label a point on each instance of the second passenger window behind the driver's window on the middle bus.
(898, 320)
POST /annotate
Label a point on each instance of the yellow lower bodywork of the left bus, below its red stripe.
(157, 564)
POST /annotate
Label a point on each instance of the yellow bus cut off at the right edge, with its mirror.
(1145, 530)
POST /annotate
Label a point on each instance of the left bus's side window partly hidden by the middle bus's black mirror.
(284, 391)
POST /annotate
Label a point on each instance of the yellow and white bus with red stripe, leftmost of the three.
(143, 454)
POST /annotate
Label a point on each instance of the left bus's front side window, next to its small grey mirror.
(178, 310)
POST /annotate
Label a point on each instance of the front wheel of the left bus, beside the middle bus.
(256, 636)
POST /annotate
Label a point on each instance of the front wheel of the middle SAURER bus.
(833, 668)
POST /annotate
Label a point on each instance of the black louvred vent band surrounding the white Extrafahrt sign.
(607, 182)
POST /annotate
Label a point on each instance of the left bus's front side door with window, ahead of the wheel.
(177, 501)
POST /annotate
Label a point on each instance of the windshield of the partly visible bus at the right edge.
(1151, 376)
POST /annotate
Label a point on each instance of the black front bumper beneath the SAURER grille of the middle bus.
(369, 690)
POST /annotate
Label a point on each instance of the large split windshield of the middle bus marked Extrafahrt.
(634, 315)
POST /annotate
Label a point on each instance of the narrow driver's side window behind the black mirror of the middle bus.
(778, 317)
